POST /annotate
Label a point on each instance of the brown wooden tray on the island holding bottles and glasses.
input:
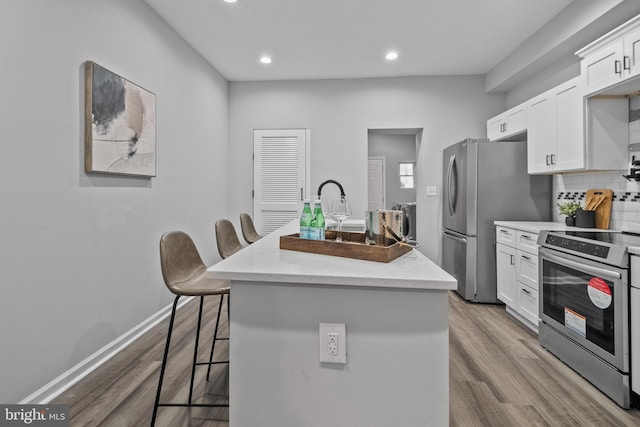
(352, 246)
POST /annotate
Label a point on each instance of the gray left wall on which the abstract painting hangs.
(79, 255)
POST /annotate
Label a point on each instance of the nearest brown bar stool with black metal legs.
(185, 274)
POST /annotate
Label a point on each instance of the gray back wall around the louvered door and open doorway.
(339, 114)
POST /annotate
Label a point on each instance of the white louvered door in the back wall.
(280, 176)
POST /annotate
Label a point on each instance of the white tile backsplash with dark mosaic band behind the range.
(625, 209)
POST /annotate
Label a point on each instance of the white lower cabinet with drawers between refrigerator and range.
(517, 274)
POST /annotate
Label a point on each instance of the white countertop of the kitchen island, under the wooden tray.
(264, 261)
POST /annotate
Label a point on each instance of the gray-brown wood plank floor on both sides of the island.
(499, 376)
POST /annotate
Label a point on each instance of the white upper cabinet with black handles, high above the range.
(612, 59)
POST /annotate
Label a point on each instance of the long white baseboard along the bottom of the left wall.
(53, 389)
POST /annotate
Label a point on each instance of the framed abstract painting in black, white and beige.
(120, 135)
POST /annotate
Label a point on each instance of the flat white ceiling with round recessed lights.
(328, 39)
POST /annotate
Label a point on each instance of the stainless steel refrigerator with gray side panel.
(485, 182)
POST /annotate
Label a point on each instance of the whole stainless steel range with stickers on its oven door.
(584, 305)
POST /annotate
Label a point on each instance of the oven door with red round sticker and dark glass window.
(587, 302)
